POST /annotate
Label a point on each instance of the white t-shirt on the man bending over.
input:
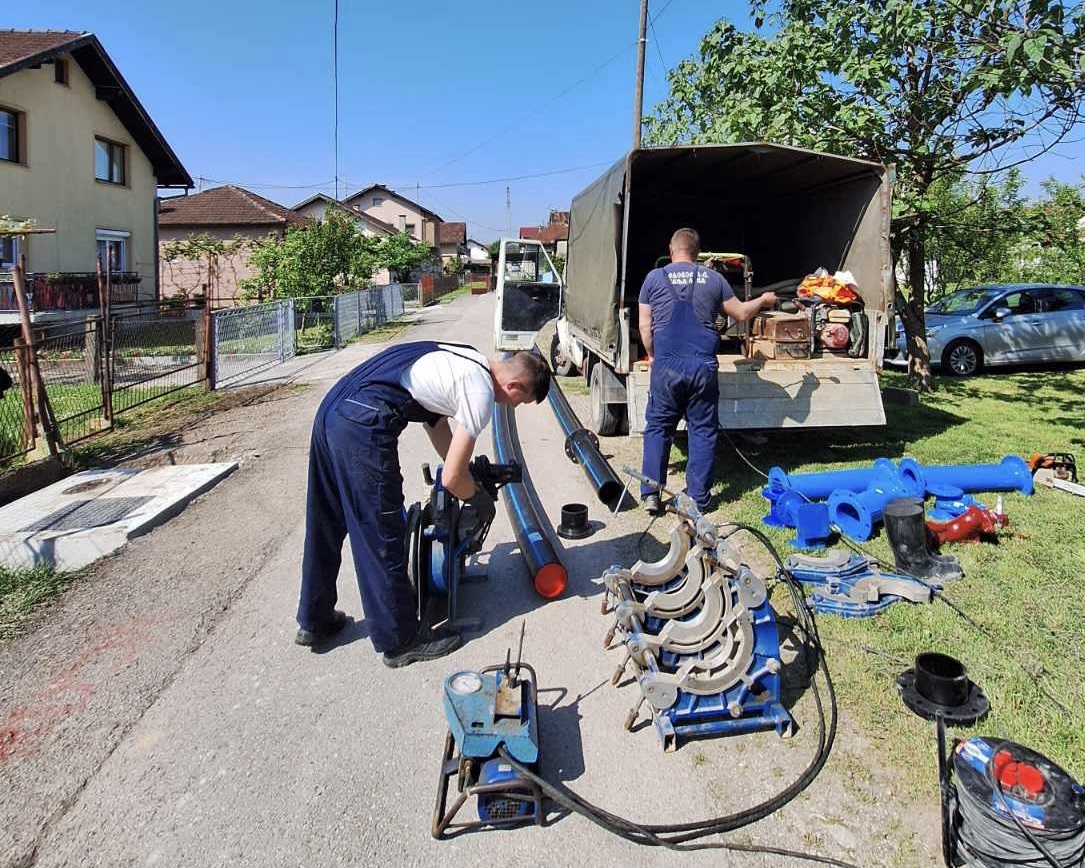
(454, 382)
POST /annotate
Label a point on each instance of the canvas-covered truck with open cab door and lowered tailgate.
(770, 218)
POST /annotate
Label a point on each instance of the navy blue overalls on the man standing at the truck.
(684, 382)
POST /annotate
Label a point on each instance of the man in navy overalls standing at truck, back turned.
(679, 307)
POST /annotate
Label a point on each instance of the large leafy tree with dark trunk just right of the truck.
(939, 88)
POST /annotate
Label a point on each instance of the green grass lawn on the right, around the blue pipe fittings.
(1026, 591)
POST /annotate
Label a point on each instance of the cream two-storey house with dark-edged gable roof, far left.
(81, 156)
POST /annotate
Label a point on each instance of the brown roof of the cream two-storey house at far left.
(25, 49)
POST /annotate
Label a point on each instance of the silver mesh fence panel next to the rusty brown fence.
(247, 340)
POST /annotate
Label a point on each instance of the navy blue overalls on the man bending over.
(356, 489)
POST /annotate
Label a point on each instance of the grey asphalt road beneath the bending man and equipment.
(160, 713)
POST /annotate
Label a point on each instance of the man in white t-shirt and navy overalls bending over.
(356, 489)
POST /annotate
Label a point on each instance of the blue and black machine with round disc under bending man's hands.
(443, 533)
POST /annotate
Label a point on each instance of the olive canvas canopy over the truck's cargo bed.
(789, 210)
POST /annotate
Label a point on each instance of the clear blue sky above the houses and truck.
(431, 93)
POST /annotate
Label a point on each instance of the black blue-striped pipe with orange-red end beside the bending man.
(548, 577)
